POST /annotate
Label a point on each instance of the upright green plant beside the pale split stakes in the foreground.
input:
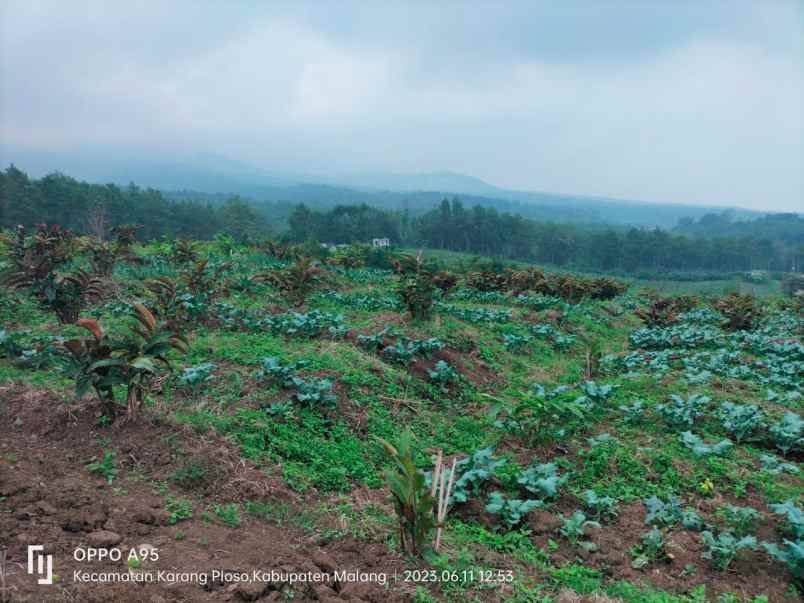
(413, 502)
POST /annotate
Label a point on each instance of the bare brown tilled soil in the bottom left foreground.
(48, 497)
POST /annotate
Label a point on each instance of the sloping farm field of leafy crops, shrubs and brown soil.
(609, 444)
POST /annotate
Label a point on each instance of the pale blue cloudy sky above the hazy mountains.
(693, 102)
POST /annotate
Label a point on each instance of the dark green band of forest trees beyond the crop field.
(713, 243)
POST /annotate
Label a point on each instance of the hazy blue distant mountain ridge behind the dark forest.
(213, 177)
